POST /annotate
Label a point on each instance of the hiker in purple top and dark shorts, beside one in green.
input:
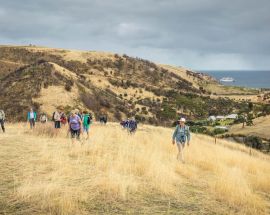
(75, 124)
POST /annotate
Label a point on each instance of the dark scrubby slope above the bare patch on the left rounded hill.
(20, 88)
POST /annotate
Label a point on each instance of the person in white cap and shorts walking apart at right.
(181, 135)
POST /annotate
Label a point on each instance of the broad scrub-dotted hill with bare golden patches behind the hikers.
(120, 85)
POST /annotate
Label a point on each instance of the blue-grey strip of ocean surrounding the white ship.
(253, 79)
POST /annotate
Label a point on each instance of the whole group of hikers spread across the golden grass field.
(80, 122)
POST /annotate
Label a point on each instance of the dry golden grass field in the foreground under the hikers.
(115, 173)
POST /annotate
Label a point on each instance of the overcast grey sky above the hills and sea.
(198, 34)
